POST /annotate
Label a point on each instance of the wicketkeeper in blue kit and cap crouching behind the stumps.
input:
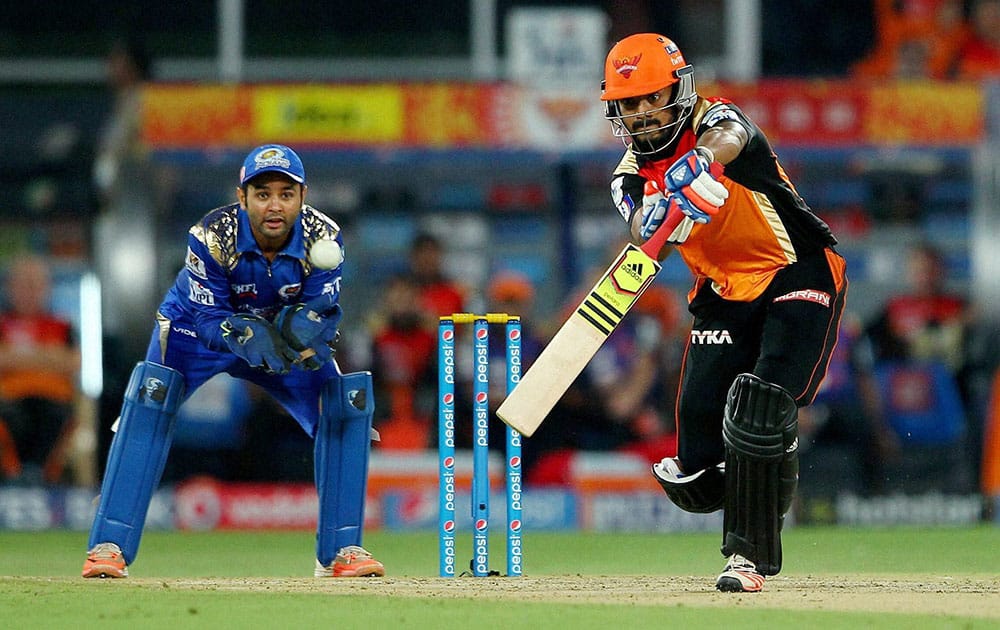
(258, 298)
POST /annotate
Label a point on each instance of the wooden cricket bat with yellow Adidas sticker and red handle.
(582, 335)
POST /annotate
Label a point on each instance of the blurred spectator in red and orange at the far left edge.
(39, 364)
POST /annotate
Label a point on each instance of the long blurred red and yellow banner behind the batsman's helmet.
(452, 115)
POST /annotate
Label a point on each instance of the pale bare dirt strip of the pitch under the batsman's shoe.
(964, 596)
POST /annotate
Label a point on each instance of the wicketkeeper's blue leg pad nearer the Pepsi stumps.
(343, 442)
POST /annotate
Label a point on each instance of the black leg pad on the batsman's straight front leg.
(760, 430)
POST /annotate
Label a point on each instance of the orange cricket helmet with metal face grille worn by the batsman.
(638, 66)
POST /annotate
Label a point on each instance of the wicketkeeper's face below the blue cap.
(273, 203)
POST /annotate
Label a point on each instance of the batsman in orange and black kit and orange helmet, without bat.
(769, 289)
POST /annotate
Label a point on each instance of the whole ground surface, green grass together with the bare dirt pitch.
(260, 580)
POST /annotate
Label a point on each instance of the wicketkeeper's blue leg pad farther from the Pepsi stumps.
(137, 456)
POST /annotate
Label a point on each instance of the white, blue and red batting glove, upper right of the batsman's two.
(692, 182)
